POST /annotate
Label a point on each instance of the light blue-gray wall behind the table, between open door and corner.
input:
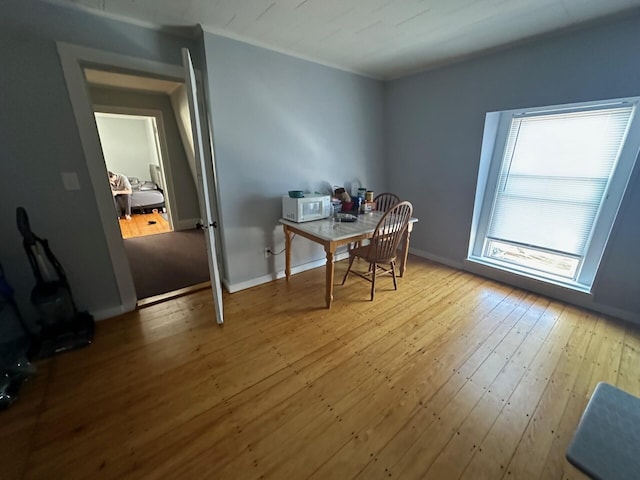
(280, 124)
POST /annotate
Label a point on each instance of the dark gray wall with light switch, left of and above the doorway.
(39, 140)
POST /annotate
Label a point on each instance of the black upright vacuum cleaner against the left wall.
(62, 326)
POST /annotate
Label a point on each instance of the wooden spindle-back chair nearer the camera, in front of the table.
(383, 246)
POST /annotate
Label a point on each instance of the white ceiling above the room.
(378, 38)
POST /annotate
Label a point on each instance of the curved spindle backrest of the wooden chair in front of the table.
(388, 233)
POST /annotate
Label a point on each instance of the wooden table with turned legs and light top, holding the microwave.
(331, 236)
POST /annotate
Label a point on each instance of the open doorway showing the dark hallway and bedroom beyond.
(143, 144)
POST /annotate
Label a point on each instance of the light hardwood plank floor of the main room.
(452, 376)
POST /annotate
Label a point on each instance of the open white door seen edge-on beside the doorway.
(205, 184)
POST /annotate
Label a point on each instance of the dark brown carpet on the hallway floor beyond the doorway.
(168, 261)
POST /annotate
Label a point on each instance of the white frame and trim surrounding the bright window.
(497, 125)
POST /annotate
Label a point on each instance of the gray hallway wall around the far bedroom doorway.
(185, 193)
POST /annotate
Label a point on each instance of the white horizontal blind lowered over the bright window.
(554, 176)
